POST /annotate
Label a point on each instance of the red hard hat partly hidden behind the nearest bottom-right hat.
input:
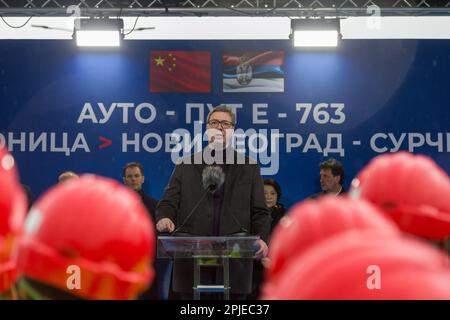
(313, 221)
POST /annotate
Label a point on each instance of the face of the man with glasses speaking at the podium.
(220, 128)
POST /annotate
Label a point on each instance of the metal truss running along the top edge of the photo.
(226, 7)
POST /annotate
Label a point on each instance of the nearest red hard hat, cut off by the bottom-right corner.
(365, 265)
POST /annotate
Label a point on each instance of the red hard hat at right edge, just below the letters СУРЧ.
(411, 189)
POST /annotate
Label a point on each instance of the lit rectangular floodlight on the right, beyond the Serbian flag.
(315, 32)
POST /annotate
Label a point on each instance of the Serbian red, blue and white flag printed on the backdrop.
(253, 71)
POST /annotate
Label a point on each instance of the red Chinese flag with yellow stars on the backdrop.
(180, 71)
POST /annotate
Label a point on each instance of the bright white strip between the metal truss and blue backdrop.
(219, 28)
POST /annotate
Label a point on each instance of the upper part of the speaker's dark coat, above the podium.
(243, 198)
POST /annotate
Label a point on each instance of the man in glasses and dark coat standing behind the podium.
(237, 205)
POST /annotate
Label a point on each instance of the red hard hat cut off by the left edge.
(13, 208)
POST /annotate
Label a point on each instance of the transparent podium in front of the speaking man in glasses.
(207, 252)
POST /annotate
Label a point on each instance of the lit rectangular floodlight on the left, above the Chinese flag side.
(98, 32)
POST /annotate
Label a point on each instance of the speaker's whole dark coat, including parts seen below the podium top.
(243, 198)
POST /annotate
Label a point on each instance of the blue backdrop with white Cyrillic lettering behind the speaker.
(386, 86)
